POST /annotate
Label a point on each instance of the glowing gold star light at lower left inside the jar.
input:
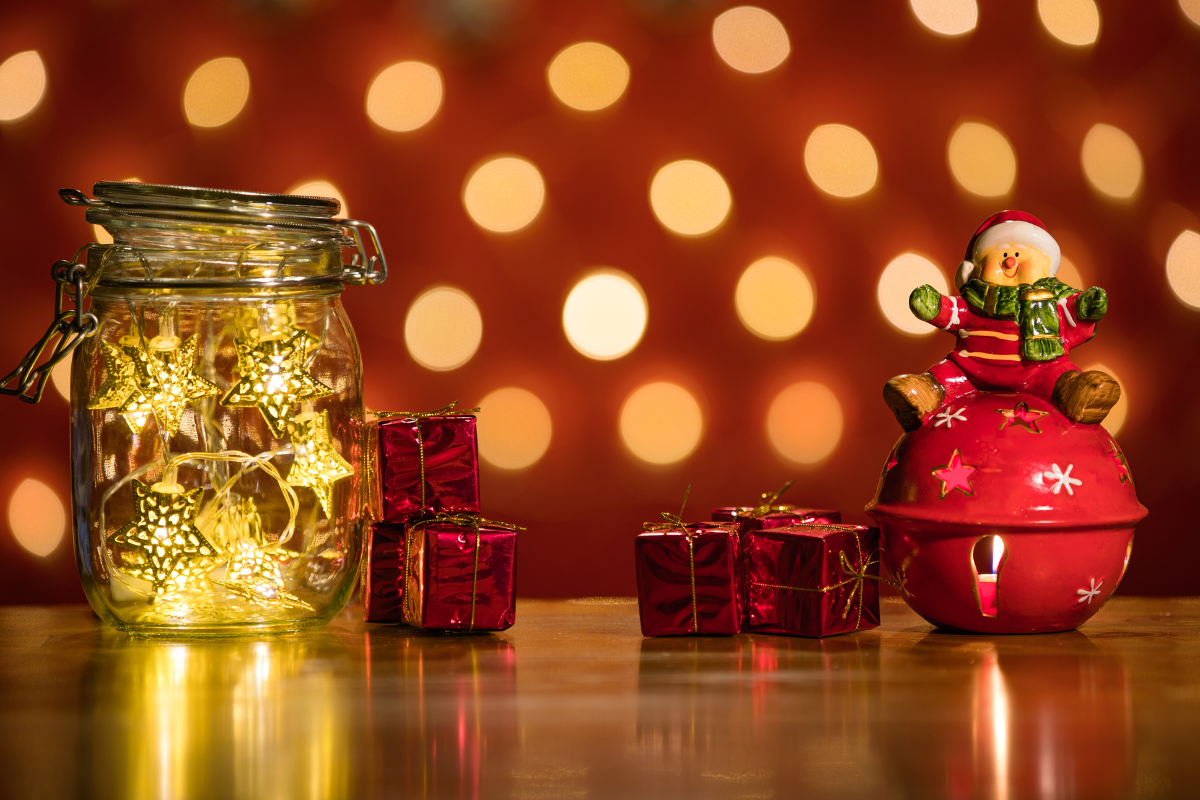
(161, 544)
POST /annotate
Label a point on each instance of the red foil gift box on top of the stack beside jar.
(452, 466)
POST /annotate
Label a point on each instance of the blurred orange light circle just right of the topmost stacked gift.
(514, 429)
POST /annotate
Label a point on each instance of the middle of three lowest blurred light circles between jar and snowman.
(662, 424)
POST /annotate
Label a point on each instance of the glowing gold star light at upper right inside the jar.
(274, 378)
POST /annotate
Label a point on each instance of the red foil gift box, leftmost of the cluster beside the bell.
(686, 592)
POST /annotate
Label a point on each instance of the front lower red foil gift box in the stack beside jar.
(460, 578)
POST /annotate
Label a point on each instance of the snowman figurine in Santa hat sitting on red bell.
(1016, 324)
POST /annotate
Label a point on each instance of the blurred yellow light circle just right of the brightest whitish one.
(775, 299)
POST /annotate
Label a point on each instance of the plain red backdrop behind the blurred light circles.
(113, 110)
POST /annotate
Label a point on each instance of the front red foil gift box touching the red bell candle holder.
(813, 580)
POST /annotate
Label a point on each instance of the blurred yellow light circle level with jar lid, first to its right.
(505, 195)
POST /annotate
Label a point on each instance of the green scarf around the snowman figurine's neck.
(1033, 308)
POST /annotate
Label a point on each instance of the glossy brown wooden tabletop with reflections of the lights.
(574, 703)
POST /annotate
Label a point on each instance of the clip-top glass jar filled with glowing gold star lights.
(217, 410)
